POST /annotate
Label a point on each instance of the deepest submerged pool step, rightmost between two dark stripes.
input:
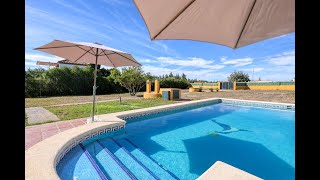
(148, 161)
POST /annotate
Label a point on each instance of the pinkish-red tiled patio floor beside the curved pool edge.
(37, 133)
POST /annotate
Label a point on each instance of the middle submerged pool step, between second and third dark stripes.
(134, 165)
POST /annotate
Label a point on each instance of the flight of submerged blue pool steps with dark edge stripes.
(122, 159)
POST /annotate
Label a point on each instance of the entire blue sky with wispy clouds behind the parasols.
(118, 24)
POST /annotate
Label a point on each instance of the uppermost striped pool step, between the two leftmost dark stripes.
(108, 163)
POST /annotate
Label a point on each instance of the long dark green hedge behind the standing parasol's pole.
(65, 81)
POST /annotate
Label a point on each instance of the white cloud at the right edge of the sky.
(286, 58)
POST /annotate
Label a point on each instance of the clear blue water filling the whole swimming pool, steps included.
(185, 144)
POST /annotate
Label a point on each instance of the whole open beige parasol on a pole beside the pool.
(91, 53)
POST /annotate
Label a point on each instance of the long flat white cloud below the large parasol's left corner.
(190, 62)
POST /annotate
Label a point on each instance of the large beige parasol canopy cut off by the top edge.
(233, 23)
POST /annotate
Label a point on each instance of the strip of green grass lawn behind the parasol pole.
(83, 110)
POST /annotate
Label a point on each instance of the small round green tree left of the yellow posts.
(131, 78)
